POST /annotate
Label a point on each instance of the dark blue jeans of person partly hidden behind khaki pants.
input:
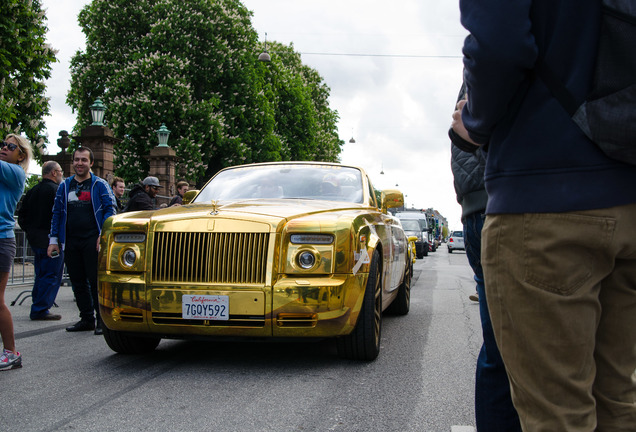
(494, 411)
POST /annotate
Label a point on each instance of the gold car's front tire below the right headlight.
(363, 343)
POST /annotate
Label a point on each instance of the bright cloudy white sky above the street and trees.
(394, 70)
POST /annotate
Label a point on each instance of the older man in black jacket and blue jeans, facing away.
(34, 218)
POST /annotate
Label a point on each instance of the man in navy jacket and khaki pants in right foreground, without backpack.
(559, 241)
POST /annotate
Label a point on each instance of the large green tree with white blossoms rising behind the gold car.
(193, 66)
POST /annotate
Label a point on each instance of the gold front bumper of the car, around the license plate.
(324, 306)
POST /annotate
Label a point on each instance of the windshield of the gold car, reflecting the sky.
(285, 181)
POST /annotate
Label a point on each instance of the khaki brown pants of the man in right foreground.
(561, 289)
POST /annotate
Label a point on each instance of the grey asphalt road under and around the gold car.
(423, 379)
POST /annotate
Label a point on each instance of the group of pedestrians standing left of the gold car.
(62, 219)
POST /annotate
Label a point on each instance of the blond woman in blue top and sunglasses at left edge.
(15, 155)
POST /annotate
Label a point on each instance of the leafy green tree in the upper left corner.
(25, 63)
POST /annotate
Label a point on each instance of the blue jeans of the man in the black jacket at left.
(48, 276)
